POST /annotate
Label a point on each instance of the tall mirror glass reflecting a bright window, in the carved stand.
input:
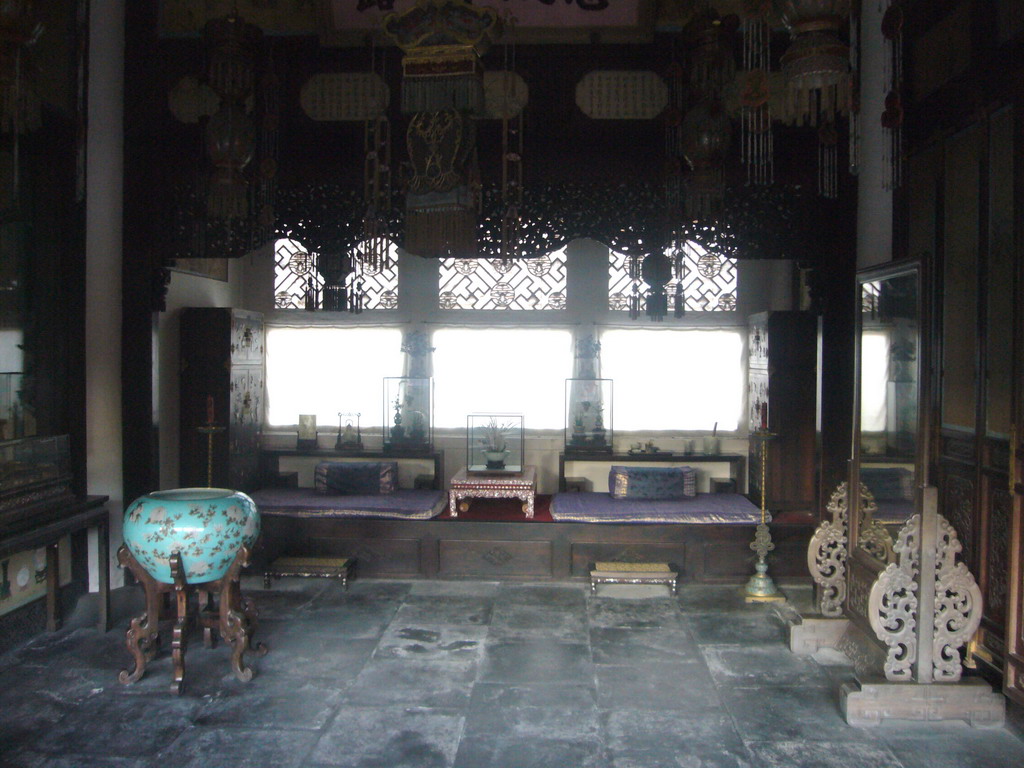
(889, 350)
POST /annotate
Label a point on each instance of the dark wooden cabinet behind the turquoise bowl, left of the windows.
(222, 398)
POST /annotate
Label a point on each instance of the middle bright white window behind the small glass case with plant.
(520, 371)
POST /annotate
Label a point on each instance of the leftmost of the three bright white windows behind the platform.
(325, 371)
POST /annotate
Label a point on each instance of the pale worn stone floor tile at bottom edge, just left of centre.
(391, 738)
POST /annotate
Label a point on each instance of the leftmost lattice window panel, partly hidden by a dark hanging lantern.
(297, 276)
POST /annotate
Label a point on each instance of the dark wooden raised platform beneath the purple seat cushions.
(508, 547)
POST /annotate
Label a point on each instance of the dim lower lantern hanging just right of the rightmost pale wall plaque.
(706, 136)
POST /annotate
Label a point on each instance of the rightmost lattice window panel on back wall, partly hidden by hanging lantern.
(709, 281)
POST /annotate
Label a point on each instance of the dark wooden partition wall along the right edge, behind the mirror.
(962, 210)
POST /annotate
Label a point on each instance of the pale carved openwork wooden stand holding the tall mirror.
(922, 609)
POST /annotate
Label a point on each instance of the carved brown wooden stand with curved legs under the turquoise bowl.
(220, 605)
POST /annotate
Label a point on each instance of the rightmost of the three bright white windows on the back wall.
(675, 379)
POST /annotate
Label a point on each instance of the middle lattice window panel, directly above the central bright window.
(494, 284)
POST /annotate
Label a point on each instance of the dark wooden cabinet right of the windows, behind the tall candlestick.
(782, 387)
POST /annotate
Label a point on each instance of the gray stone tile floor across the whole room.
(468, 674)
